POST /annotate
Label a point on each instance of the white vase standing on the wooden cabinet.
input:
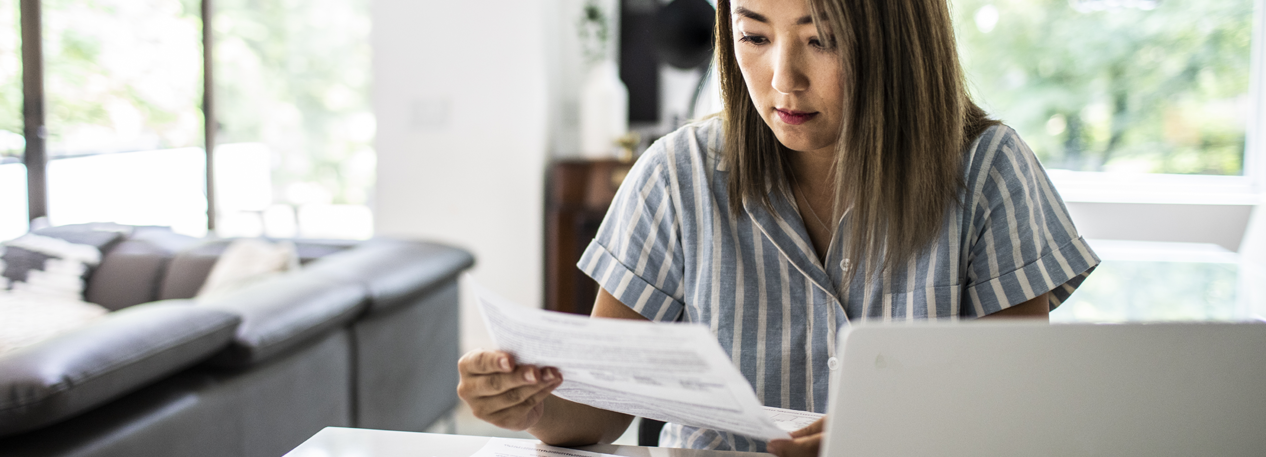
(605, 107)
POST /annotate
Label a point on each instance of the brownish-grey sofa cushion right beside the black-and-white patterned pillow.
(132, 272)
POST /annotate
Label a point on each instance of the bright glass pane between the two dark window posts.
(123, 83)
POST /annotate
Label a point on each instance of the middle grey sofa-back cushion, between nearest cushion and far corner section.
(285, 312)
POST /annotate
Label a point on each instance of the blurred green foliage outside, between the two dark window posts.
(122, 75)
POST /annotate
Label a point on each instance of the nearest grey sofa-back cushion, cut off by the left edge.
(127, 350)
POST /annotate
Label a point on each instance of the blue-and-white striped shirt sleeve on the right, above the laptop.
(1025, 240)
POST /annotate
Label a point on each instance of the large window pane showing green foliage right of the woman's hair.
(1156, 87)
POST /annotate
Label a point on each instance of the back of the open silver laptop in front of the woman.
(1026, 389)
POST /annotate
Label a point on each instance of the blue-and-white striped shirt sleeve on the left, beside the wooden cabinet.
(637, 254)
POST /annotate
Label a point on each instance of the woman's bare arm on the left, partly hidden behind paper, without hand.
(567, 423)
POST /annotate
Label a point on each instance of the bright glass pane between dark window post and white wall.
(297, 131)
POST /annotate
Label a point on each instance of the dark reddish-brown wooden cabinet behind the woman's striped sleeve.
(579, 193)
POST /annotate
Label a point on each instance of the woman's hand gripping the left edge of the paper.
(503, 393)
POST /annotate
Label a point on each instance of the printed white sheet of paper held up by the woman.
(672, 373)
